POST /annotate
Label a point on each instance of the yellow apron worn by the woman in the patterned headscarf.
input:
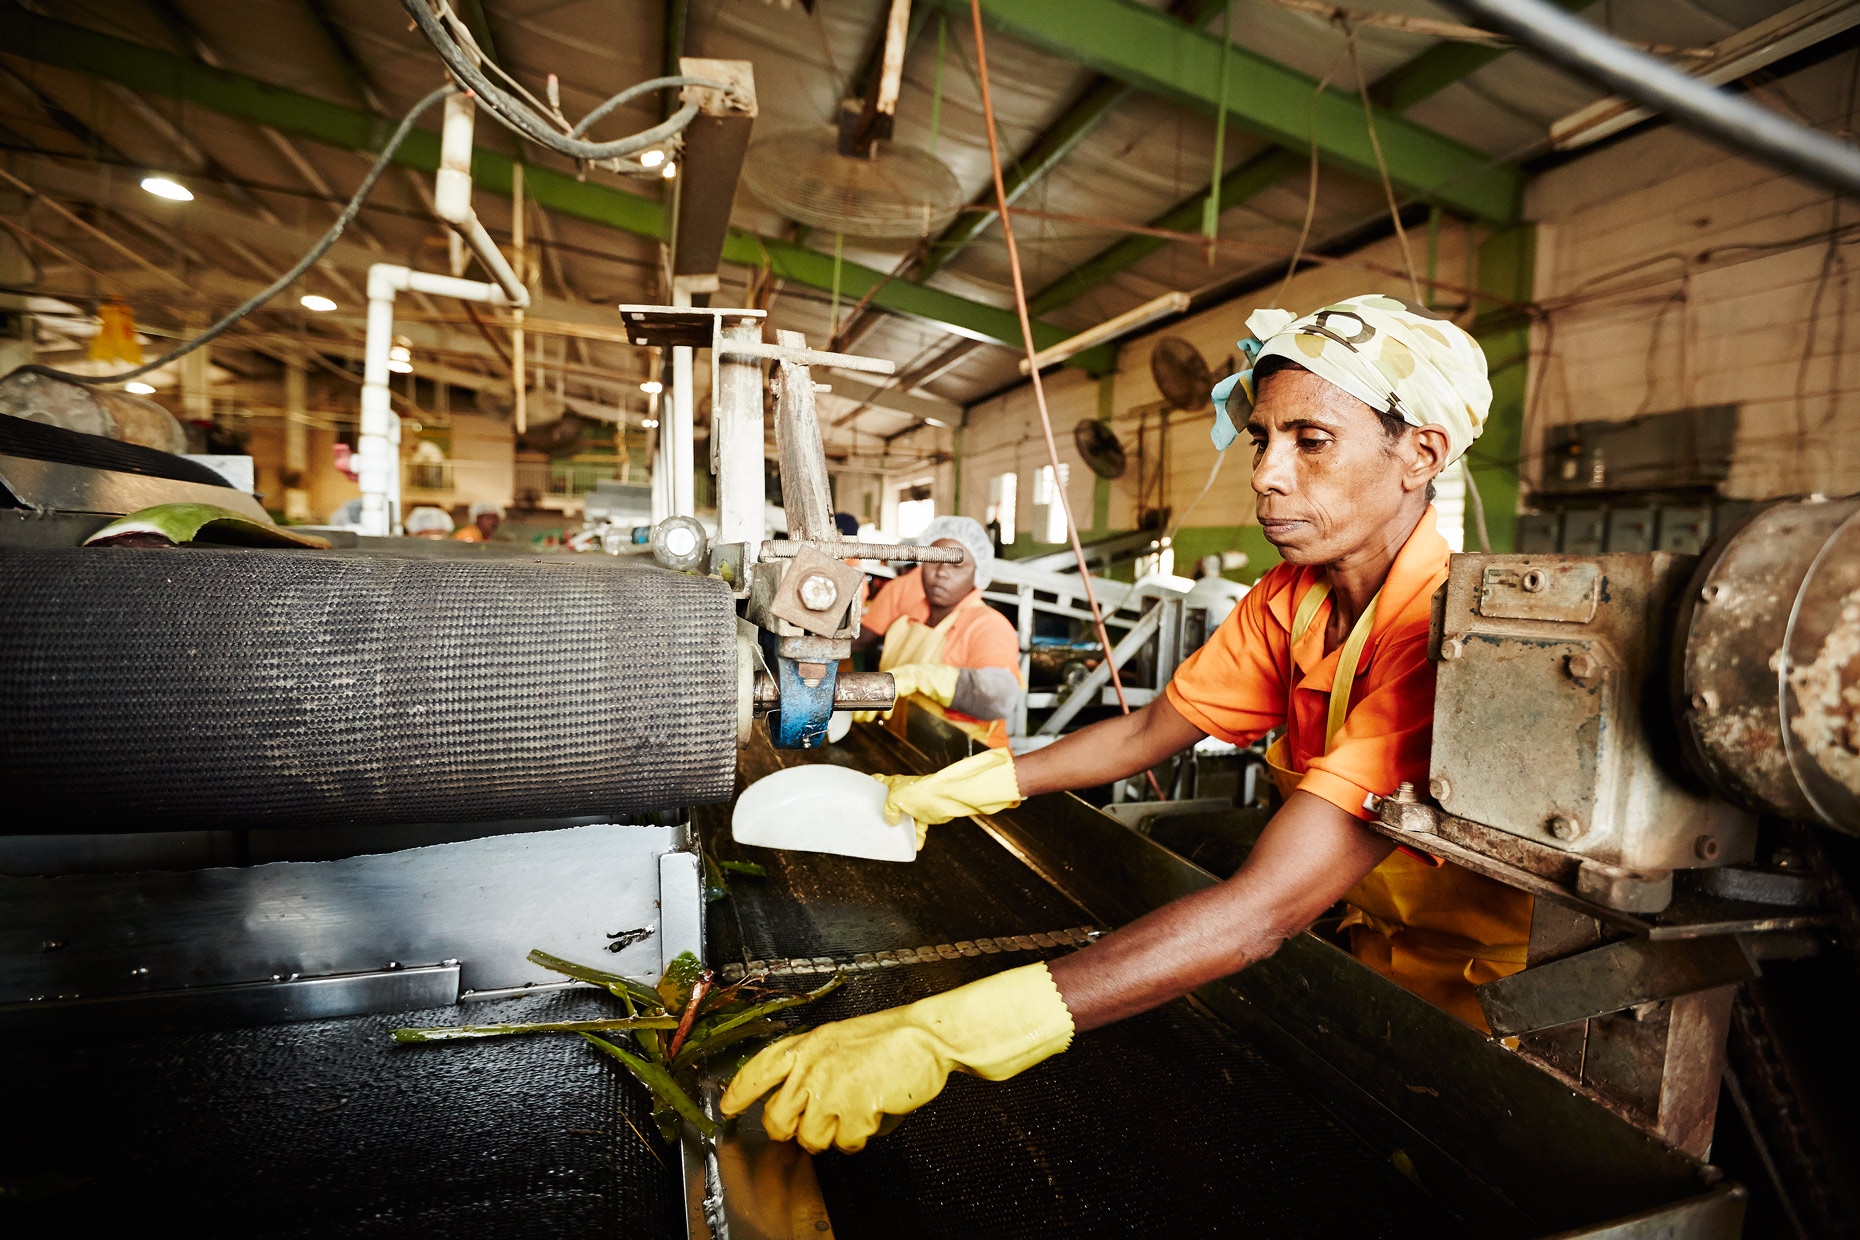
(1435, 929)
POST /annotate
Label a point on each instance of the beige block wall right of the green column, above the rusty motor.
(1681, 276)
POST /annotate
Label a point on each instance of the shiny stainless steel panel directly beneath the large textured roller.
(483, 903)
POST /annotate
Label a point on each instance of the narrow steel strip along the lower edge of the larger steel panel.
(250, 1003)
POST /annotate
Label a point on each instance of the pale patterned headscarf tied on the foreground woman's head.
(1392, 356)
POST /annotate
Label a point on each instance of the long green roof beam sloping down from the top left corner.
(159, 73)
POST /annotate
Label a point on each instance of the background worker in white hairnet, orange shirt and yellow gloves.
(951, 653)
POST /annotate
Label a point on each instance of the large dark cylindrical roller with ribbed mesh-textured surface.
(172, 689)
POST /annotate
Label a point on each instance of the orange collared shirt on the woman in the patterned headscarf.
(1249, 679)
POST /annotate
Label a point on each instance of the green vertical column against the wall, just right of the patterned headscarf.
(1506, 269)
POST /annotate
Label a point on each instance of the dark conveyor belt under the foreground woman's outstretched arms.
(1165, 1126)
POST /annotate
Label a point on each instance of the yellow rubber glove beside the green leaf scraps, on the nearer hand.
(840, 1081)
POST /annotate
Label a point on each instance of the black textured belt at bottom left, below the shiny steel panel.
(330, 1129)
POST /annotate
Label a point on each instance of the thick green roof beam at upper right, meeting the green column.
(1173, 60)
